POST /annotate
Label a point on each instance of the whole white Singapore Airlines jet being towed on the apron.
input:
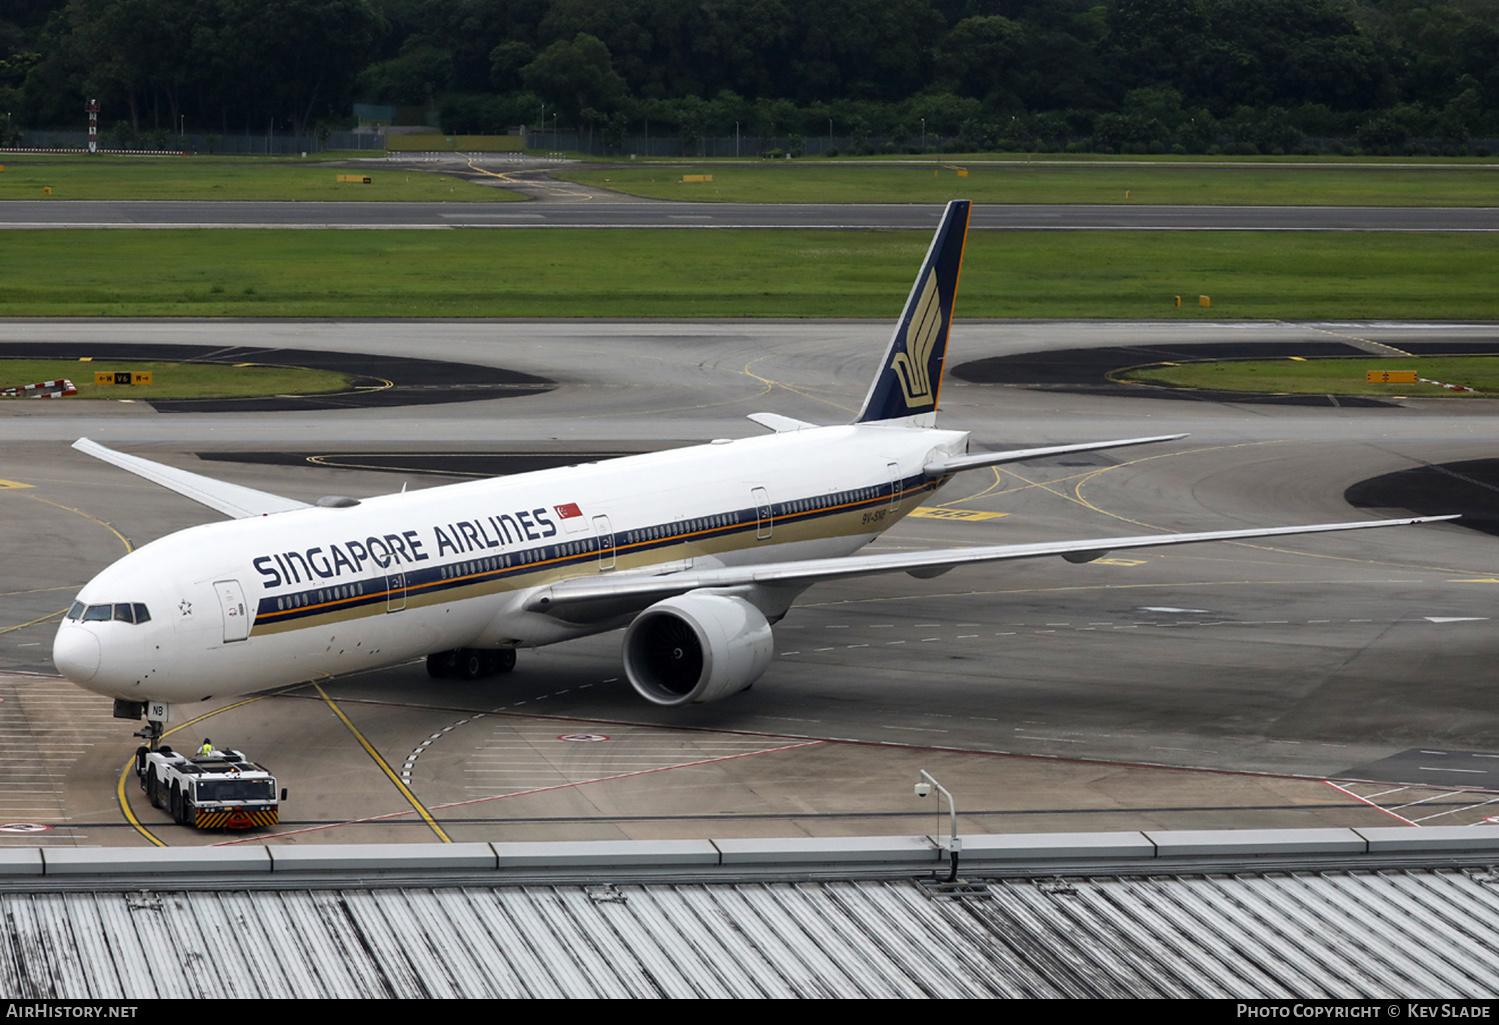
(696, 552)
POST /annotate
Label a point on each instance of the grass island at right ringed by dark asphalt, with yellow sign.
(1327, 377)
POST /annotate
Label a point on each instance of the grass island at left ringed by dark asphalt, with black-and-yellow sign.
(175, 380)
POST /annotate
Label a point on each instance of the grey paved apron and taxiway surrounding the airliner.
(1213, 686)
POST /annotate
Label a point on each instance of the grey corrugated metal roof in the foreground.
(1375, 934)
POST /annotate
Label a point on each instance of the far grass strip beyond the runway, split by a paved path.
(1450, 184)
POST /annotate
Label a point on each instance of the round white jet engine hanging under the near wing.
(696, 648)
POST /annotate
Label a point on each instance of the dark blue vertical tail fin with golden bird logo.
(911, 375)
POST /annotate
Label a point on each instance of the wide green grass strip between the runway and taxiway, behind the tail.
(741, 273)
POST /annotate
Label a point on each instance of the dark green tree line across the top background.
(1122, 76)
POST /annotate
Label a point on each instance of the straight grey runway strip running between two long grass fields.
(578, 208)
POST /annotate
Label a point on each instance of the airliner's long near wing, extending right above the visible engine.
(599, 599)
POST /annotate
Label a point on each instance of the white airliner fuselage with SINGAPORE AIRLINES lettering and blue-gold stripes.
(236, 608)
